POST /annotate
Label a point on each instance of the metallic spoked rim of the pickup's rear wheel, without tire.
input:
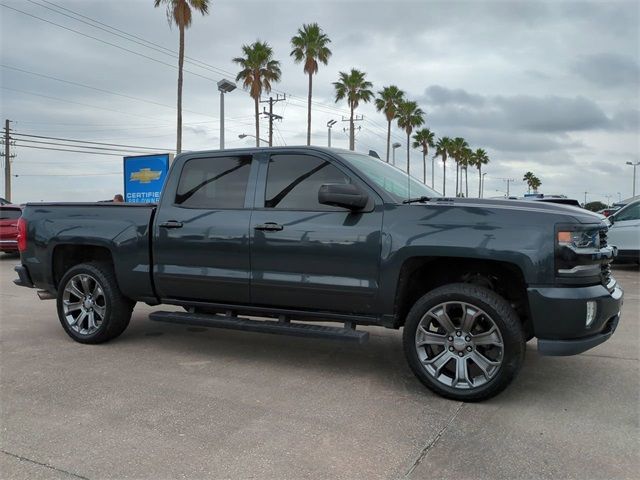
(83, 304)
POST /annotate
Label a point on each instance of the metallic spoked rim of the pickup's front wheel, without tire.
(459, 345)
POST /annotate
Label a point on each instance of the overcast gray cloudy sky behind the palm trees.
(549, 87)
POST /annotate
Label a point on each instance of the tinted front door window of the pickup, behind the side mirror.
(293, 182)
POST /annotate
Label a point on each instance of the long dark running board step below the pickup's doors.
(281, 327)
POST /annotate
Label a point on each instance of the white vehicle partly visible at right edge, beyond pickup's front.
(624, 232)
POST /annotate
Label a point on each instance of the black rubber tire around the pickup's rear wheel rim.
(117, 307)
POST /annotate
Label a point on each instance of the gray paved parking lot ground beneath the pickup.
(167, 401)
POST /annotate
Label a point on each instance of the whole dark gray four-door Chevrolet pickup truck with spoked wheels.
(295, 236)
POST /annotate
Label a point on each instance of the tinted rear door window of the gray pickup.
(219, 182)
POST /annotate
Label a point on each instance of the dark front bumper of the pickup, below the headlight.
(559, 317)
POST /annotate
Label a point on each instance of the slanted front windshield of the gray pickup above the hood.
(391, 179)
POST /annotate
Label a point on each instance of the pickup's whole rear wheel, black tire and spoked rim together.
(91, 307)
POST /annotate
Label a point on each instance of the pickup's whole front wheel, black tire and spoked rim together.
(464, 342)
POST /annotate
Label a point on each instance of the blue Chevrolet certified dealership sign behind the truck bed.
(144, 177)
